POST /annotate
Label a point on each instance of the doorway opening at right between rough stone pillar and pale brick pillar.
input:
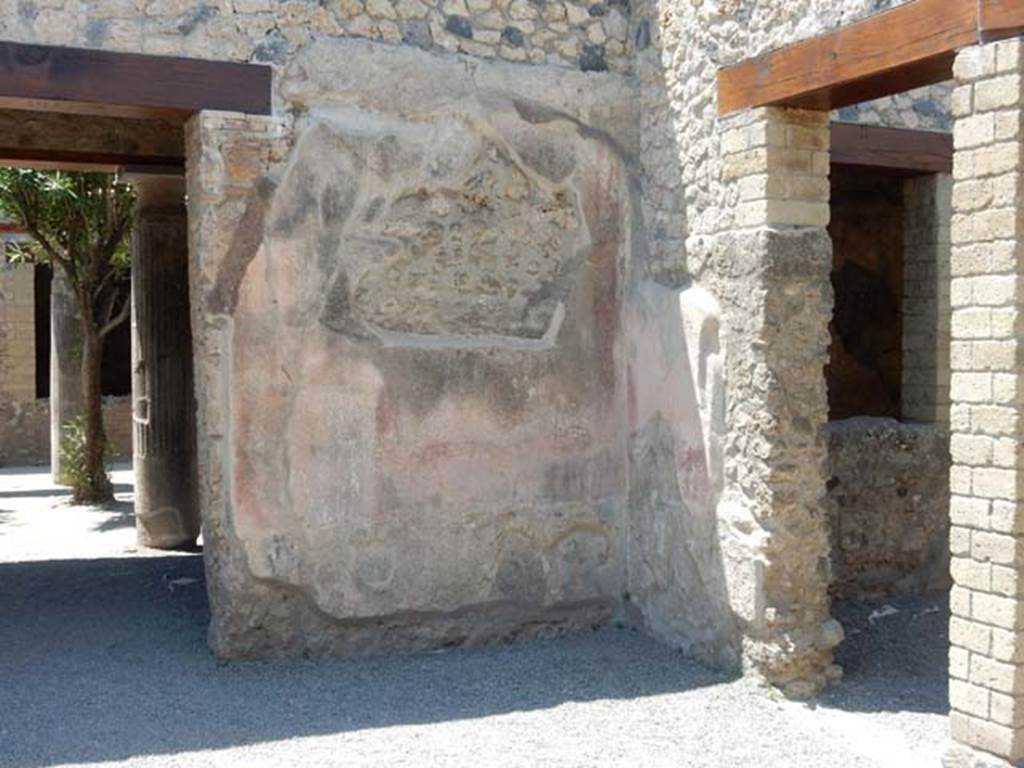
(888, 382)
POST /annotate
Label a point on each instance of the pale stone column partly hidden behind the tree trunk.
(66, 364)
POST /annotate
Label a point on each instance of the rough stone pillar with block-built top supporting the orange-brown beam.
(775, 279)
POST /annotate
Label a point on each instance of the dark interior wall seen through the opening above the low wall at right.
(866, 360)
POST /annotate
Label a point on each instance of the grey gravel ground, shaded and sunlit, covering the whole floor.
(103, 661)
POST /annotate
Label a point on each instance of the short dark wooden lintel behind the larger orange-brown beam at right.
(893, 150)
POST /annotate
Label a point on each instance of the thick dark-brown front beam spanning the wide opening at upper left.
(129, 84)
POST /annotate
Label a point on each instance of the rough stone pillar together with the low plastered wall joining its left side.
(750, 521)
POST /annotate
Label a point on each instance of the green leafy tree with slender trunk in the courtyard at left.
(79, 224)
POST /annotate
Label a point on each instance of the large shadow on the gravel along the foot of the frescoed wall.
(106, 660)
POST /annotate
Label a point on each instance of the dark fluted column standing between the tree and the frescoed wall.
(164, 407)
